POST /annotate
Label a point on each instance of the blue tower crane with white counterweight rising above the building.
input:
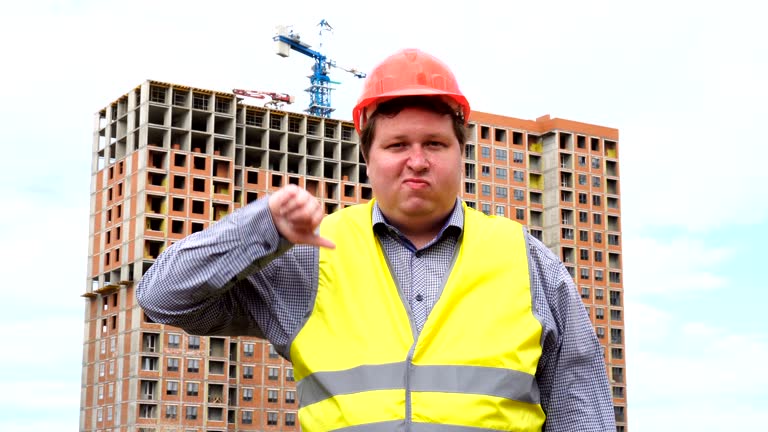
(320, 89)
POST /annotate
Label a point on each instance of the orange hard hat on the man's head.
(409, 72)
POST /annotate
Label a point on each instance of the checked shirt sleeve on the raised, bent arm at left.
(238, 277)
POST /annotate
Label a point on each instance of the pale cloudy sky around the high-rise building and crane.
(684, 82)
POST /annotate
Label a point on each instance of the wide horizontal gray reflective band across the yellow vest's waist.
(504, 383)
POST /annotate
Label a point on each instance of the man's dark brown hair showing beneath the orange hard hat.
(392, 107)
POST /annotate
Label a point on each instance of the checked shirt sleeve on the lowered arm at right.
(572, 378)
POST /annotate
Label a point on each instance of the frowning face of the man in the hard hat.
(414, 167)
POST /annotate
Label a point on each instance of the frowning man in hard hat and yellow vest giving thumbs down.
(412, 312)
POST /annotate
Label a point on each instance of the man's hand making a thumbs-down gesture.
(297, 214)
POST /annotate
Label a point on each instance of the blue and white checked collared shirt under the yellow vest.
(239, 277)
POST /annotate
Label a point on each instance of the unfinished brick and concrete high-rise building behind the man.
(170, 160)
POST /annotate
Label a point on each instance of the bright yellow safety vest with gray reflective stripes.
(360, 366)
